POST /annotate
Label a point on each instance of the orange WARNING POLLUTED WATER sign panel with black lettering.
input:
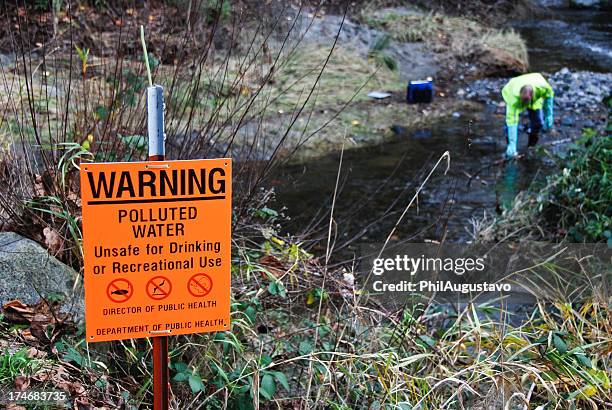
(156, 242)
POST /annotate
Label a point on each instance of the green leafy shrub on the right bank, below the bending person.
(574, 203)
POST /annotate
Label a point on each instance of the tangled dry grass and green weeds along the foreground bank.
(422, 356)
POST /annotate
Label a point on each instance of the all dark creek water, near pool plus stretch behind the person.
(376, 183)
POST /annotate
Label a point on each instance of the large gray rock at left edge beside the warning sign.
(27, 272)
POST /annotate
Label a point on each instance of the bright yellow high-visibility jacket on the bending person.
(512, 95)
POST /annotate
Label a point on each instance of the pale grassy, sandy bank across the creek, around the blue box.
(375, 49)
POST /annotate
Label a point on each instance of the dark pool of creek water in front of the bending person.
(381, 180)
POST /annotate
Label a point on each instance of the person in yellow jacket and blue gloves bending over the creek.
(529, 92)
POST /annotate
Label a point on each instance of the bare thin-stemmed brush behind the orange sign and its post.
(73, 89)
